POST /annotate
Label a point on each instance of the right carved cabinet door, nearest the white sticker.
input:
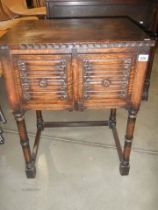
(105, 80)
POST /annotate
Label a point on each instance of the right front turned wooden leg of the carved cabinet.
(124, 165)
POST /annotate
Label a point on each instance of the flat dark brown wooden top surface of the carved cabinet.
(74, 31)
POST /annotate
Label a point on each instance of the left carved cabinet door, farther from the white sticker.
(44, 81)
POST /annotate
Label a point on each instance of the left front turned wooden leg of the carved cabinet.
(30, 166)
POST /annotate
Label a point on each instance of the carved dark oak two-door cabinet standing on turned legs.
(75, 65)
